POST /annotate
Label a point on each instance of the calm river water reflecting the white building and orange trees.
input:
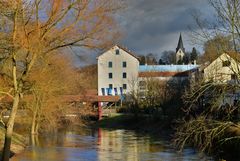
(103, 145)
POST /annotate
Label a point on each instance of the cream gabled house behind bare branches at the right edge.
(222, 70)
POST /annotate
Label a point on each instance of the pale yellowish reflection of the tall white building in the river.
(121, 145)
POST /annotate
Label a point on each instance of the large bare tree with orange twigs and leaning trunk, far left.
(34, 29)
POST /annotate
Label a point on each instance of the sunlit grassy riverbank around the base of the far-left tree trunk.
(18, 142)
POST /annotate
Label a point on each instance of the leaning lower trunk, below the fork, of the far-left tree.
(9, 129)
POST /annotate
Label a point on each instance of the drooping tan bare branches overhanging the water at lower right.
(205, 134)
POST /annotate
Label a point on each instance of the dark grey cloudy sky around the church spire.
(153, 26)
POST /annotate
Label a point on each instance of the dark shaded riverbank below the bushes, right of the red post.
(146, 124)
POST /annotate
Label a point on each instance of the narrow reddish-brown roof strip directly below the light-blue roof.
(163, 74)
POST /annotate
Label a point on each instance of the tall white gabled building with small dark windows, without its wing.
(117, 67)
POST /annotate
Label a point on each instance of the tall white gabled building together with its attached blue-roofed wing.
(119, 72)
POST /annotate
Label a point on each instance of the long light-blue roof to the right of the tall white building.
(167, 68)
